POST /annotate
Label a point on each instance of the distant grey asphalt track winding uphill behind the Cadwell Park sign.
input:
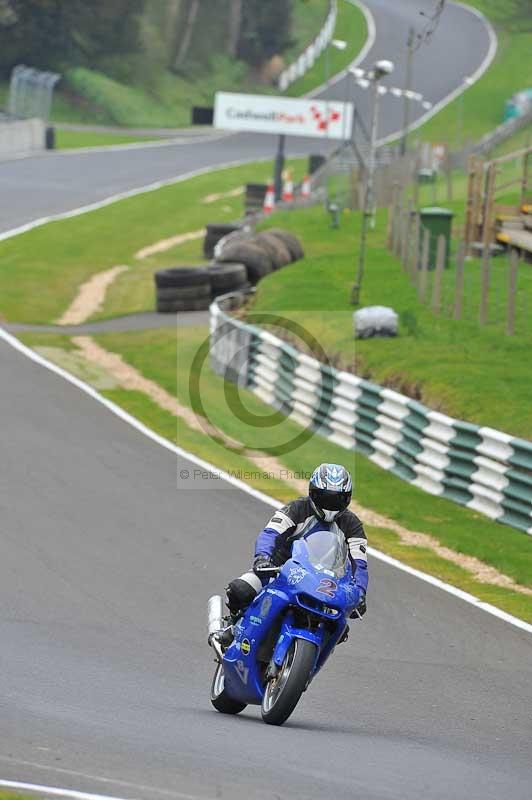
(54, 183)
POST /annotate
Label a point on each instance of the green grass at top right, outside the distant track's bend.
(481, 108)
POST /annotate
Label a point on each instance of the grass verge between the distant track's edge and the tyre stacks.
(58, 257)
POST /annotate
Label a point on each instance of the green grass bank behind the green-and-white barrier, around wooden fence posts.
(468, 371)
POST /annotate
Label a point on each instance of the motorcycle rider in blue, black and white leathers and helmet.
(330, 491)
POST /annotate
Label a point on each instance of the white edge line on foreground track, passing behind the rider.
(238, 484)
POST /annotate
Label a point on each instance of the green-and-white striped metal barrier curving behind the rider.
(477, 467)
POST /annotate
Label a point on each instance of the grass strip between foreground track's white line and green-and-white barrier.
(168, 360)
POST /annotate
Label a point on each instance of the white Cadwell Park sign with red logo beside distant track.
(320, 119)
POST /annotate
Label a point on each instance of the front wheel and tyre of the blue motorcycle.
(282, 693)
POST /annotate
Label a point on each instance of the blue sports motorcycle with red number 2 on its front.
(289, 631)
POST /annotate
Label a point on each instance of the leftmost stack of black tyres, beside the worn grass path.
(183, 289)
